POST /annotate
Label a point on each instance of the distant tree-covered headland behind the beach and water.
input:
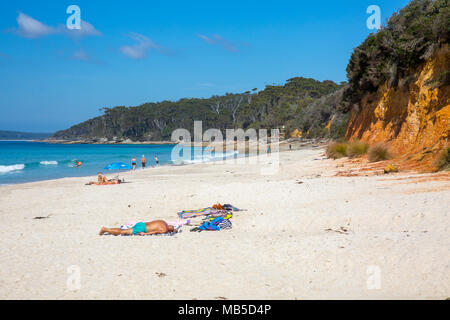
(273, 107)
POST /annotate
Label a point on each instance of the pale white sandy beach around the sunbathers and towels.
(289, 244)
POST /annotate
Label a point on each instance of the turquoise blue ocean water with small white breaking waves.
(24, 161)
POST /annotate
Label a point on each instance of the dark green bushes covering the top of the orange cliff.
(390, 55)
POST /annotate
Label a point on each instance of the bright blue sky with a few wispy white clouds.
(131, 52)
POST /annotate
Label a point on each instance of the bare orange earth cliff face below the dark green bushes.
(413, 119)
